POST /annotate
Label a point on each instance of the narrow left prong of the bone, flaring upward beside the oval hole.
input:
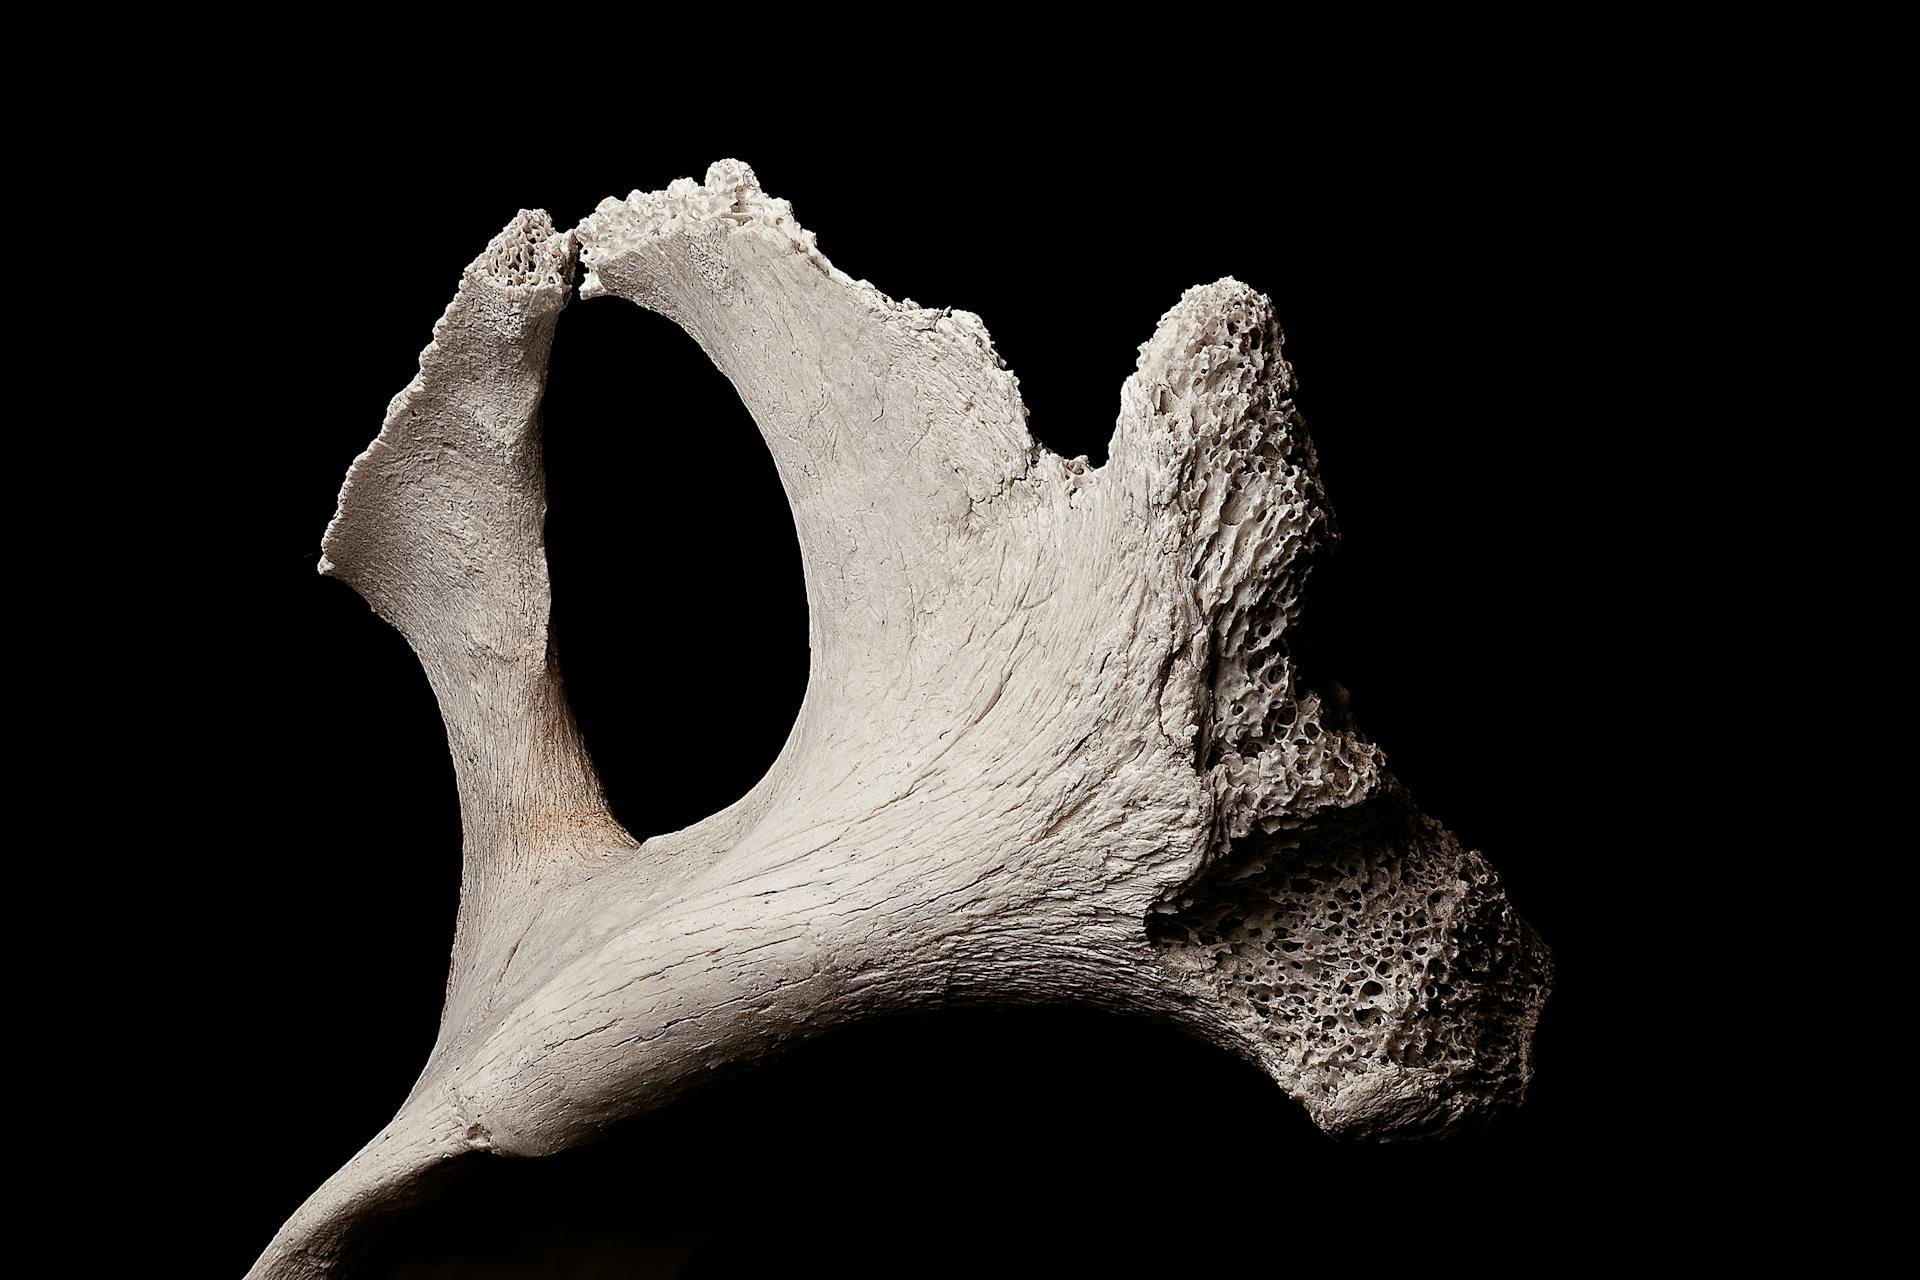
(441, 531)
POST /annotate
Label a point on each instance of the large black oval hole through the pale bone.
(684, 661)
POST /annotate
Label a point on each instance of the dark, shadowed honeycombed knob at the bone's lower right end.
(1378, 964)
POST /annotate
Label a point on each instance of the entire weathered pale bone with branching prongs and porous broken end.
(1053, 746)
